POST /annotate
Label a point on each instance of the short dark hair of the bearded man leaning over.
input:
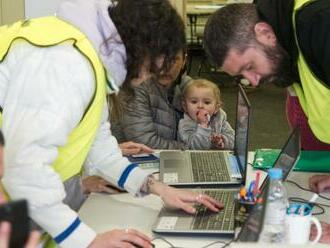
(229, 27)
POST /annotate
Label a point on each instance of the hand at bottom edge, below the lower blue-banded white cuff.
(129, 238)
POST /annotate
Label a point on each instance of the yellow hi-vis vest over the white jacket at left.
(51, 31)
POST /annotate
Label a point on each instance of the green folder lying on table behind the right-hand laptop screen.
(310, 161)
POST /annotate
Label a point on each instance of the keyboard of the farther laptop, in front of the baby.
(209, 167)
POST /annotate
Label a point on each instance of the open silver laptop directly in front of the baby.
(198, 168)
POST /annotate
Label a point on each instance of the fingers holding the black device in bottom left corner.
(5, 237)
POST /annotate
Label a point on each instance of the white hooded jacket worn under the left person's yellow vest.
(44, 93)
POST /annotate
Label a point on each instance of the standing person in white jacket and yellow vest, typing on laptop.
(54, 76)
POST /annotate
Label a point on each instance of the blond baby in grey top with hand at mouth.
(205, 124)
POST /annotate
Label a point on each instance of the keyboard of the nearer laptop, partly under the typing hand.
(224, 220)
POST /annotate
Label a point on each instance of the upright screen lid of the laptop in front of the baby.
(242, 131)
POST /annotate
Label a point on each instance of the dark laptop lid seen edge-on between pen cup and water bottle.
(252, 227)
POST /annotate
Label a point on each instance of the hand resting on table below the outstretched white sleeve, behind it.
(98, 184)
